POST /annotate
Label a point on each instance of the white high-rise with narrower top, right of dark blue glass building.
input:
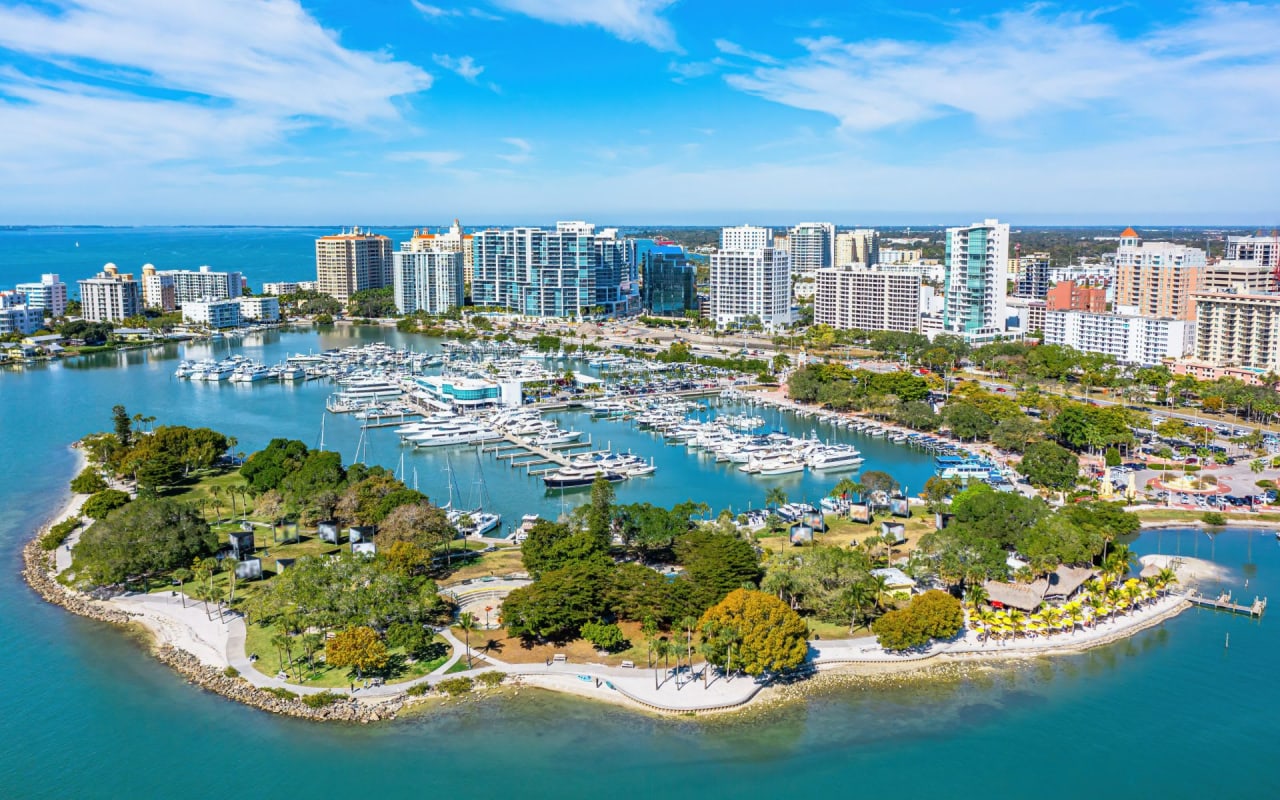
(749, 280)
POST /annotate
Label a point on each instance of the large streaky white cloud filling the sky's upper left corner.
(158, 81)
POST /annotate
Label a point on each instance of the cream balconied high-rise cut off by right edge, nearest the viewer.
(1238, 331)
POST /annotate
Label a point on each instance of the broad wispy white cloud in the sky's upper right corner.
(1017, 67)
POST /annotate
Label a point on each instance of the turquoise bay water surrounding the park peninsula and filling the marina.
(86, 714)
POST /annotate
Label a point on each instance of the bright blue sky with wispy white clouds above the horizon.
(639, 112)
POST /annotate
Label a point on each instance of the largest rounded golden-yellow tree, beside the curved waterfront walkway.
(767, 634)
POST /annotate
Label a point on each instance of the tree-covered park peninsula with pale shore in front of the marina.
(303, 586)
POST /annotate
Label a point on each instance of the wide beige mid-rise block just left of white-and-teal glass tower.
(862, 299)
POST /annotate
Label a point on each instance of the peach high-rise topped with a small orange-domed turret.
(1158, 278)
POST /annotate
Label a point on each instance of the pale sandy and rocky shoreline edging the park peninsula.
(40, 574)
